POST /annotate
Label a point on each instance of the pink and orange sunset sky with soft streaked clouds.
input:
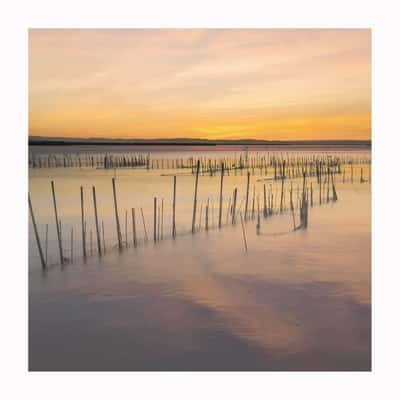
(273, 84)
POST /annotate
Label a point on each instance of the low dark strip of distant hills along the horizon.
(43, 141)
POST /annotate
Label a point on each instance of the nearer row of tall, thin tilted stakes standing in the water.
(305, 199)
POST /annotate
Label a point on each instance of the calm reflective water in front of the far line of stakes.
(295, 301)
